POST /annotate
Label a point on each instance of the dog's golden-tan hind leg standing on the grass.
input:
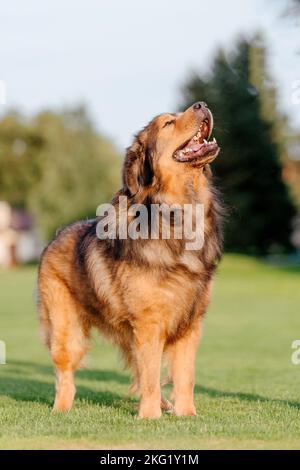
(67, 339)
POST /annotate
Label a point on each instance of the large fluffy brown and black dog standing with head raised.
(147, 295)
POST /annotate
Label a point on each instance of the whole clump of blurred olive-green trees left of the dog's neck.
(57, 166)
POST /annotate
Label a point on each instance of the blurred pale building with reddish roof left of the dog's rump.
(19, 242)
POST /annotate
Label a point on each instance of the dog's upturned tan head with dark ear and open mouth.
(171, 146)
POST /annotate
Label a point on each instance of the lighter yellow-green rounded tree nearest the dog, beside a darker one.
(80, 170)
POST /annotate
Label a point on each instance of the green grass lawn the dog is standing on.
(247, 392)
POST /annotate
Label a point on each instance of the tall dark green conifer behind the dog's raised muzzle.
(249, 167)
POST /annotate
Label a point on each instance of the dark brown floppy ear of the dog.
(137, 168)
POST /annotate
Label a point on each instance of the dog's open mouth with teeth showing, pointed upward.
(198, 147)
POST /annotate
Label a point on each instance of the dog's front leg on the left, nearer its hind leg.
(148, 345)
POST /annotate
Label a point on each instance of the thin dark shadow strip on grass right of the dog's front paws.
(250, 397)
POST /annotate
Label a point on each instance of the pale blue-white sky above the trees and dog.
(127, 60)
